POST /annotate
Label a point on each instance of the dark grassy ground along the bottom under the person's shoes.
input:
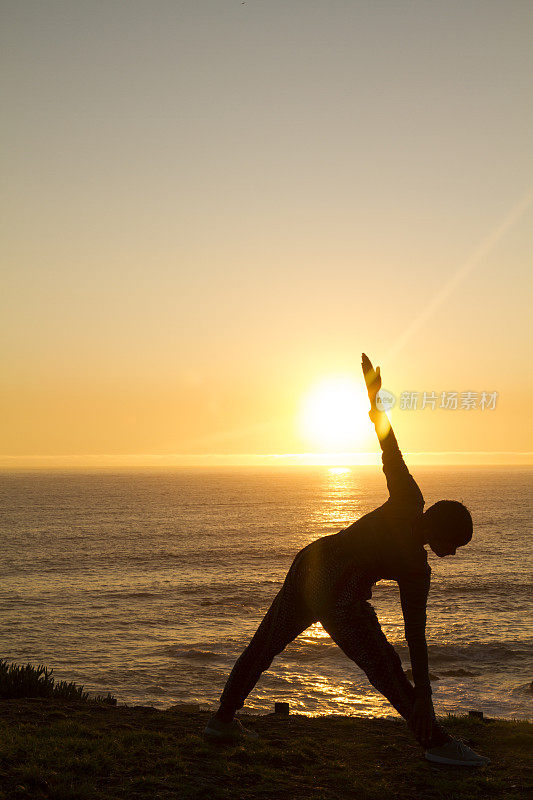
(67, 750)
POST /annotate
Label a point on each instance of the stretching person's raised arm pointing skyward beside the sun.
(400, 483)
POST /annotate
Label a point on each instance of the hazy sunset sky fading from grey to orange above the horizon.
(212, 207)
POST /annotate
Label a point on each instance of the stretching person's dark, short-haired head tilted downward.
(445, 526)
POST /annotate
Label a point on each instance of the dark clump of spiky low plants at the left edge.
(30, 681)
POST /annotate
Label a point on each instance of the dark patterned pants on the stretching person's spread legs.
(351, 622)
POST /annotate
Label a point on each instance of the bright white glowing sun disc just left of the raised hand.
(334, 413)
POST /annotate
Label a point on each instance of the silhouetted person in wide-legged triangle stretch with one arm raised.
(331, 581)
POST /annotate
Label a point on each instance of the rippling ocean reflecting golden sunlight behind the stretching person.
(149, 584)
